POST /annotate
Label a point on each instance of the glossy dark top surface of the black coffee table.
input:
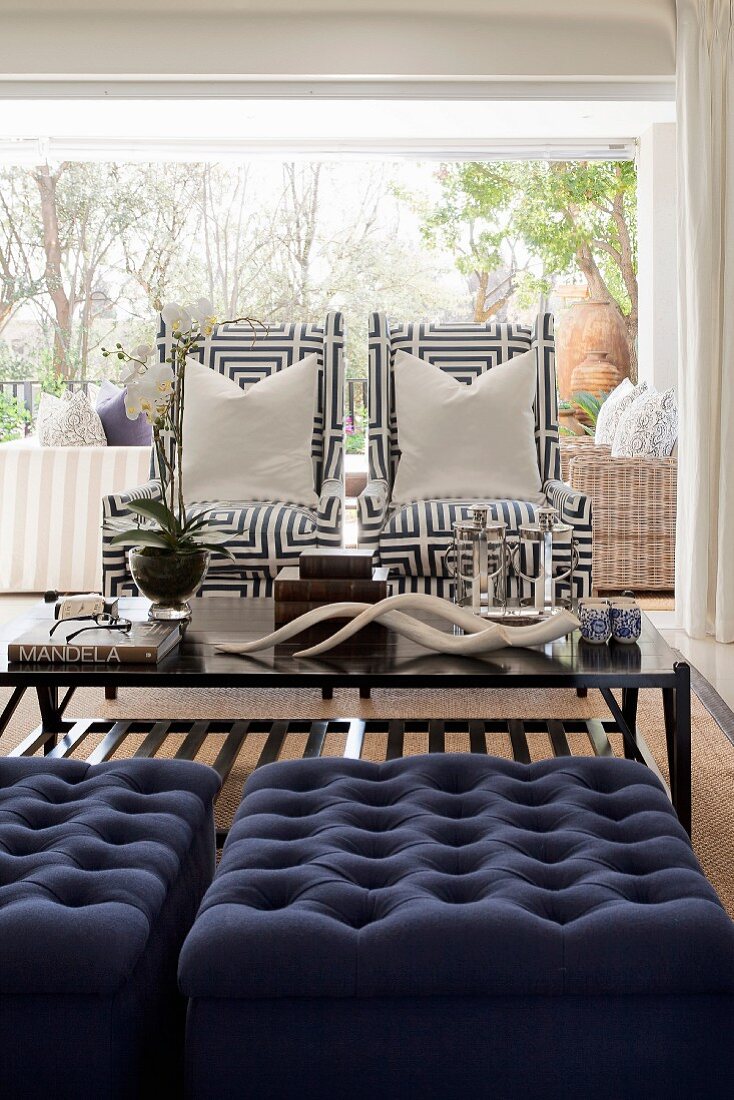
(377, 658)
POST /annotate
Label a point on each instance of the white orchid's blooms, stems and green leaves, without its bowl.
(157, 391)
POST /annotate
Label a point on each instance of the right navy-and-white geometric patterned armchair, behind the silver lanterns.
(413, 541)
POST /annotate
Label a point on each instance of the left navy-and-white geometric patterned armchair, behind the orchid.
(266, 536)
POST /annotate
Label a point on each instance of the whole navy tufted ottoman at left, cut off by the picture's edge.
(102, 873)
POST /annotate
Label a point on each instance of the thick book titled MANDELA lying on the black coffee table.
(146, 644)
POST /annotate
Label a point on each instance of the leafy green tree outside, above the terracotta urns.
(502, 219)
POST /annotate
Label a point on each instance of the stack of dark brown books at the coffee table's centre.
(327, 577)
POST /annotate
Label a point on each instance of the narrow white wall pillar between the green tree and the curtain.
(658, 257)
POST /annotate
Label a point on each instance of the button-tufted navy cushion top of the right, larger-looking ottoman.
(457, 875)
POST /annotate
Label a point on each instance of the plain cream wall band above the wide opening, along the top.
(356, 38)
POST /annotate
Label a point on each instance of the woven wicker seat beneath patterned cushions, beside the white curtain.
(633, 516)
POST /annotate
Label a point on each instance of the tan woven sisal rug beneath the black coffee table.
(714, 751)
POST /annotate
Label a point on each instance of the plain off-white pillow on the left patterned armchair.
(255, 445)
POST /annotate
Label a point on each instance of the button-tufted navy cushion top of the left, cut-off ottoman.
(89, 859)
